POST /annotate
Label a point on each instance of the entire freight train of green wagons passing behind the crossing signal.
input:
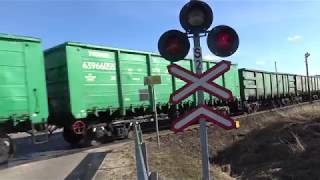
(98, 92)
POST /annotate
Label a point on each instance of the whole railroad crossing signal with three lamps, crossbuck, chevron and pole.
(196, 17)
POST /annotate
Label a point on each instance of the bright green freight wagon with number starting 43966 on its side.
(96, 90)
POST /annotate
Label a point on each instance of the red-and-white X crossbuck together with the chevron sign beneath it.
(201, 82)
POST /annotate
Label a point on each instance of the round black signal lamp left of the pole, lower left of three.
(173, 45)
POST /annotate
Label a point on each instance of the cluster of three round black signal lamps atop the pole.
(196, 17)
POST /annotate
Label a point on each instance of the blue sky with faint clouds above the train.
(269, 31)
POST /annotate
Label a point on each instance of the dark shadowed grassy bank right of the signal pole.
(282, 150)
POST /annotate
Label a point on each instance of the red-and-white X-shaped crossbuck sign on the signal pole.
(202, 82)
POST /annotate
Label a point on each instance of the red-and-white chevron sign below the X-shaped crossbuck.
(203, 111)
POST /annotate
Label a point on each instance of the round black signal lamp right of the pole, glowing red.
(223, 41)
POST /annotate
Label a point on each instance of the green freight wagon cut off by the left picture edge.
(23, 94)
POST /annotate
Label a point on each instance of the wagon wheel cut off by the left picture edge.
(6, 148)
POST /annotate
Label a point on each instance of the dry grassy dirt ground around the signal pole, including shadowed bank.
(274, 145)
